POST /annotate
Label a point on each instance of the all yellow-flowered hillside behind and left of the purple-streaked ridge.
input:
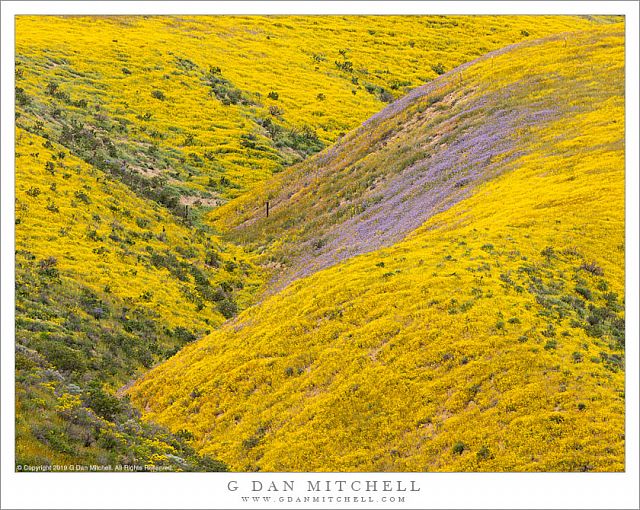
(109, 283)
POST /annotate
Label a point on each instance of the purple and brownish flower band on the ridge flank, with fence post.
(414, 159)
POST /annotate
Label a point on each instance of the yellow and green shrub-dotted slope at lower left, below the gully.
(108, 284)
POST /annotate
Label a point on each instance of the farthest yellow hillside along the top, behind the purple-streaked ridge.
(101, 72)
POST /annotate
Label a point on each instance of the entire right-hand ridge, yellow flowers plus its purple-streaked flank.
(503, 310)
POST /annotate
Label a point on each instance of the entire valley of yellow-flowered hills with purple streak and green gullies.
(444, 247)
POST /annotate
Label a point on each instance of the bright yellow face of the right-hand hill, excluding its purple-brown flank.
(504, 311)
